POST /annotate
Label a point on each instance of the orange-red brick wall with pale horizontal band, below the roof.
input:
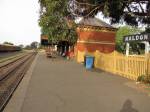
(90, 41)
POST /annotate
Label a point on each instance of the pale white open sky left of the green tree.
(19, 21)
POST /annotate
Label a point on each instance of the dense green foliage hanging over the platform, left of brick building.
(53, 20)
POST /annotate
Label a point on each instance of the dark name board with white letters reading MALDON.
(138, 37)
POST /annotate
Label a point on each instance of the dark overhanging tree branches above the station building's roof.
(132, 12)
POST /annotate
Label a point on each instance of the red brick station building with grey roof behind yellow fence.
(93, 35)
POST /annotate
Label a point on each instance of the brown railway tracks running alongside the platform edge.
(10, 76)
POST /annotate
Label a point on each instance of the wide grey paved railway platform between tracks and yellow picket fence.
(57, 85)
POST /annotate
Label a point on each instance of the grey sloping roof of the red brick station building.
(94, 22)
